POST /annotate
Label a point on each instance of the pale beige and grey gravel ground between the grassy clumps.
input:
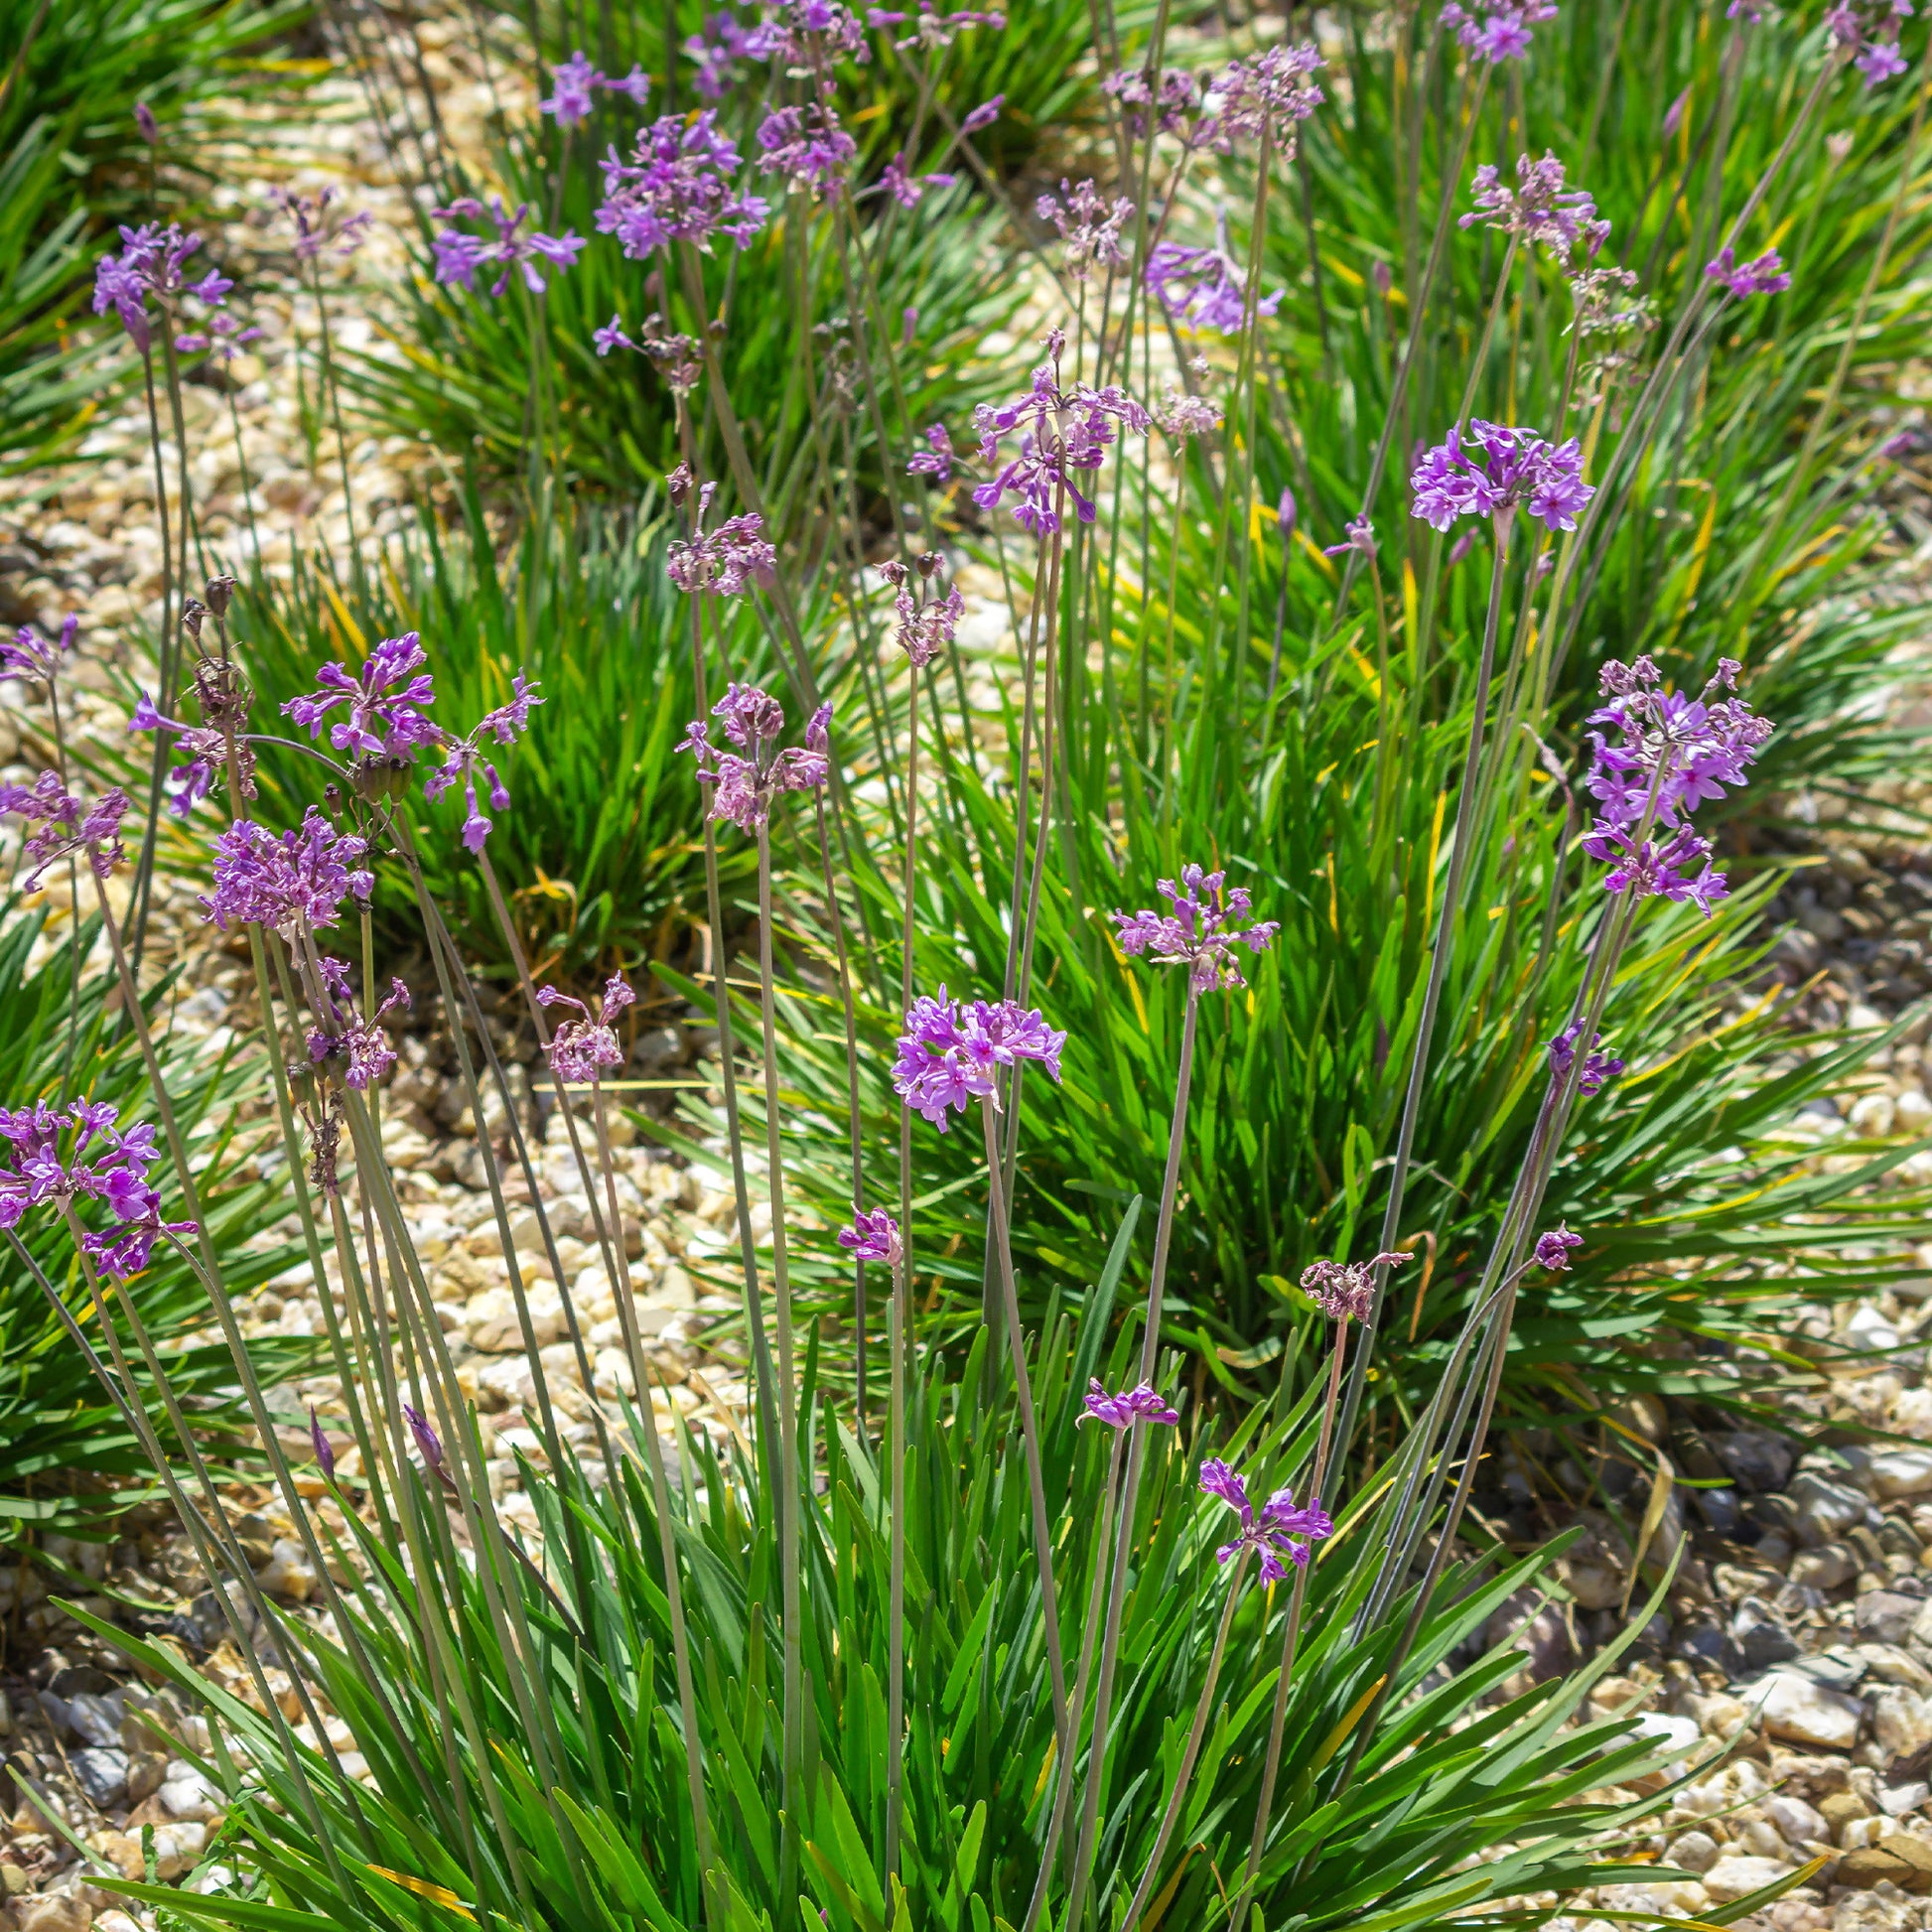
(1794, 1657)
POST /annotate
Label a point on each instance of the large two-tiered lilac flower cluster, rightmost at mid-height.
(1674, 753)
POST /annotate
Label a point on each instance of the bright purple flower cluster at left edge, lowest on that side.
(63, 1156)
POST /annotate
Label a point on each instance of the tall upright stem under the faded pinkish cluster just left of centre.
(791, 1492)
